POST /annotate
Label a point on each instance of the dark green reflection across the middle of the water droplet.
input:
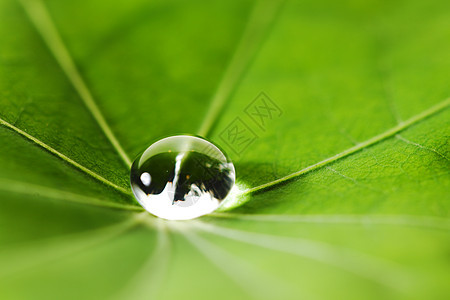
(207, 173)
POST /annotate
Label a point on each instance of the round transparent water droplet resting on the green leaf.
(181, 177)
